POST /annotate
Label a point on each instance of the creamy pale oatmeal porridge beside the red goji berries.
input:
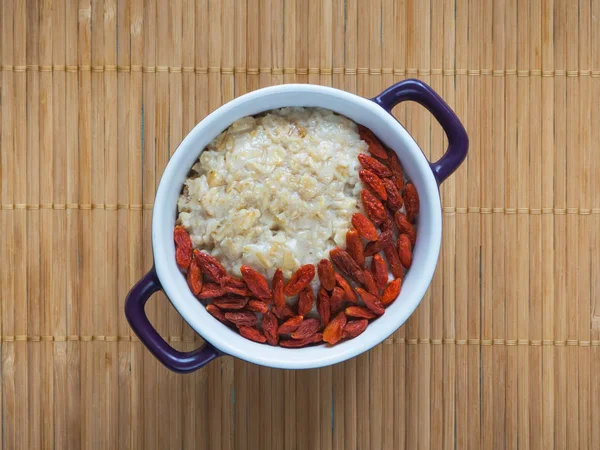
(276, 190)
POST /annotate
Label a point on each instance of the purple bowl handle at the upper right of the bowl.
(417, 91)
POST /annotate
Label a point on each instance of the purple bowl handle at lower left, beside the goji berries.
(182, 362)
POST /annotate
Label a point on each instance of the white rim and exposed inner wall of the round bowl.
(358, 109)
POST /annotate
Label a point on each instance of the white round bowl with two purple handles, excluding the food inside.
(373, 114)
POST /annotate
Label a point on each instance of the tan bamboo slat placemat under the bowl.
(502, 352)
